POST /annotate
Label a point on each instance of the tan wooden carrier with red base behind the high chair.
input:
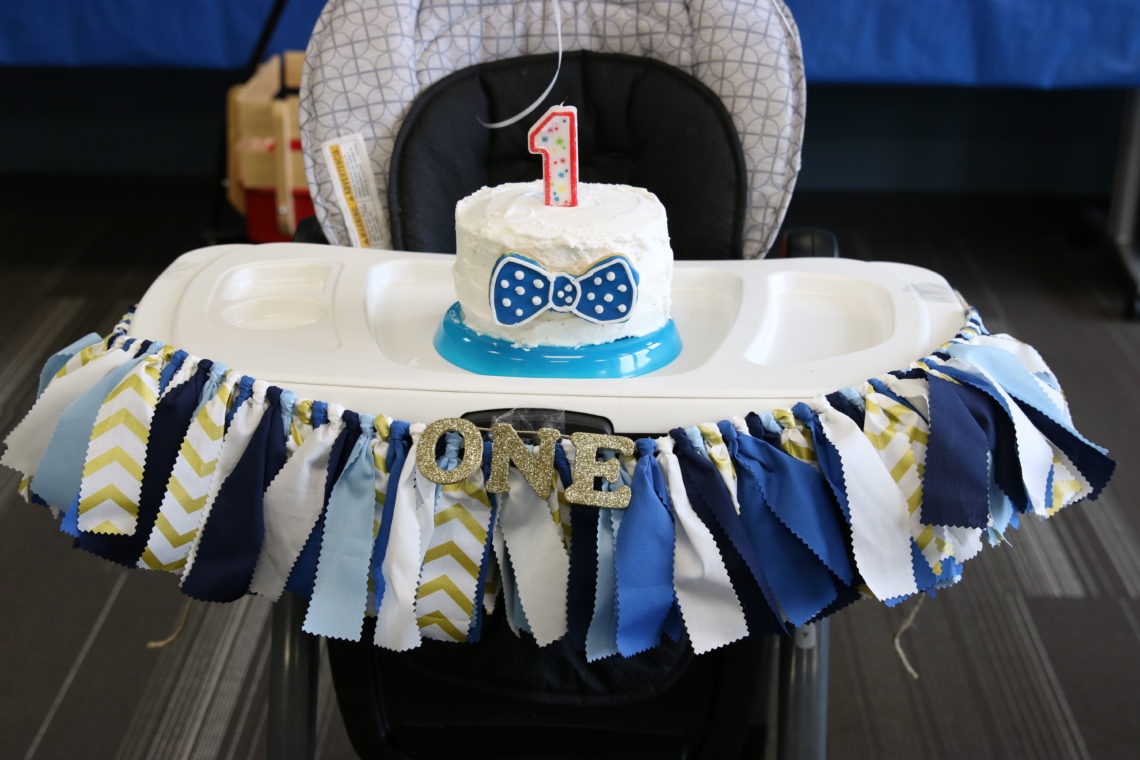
(265, 183)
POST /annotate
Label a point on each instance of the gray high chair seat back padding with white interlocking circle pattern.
(369, 60)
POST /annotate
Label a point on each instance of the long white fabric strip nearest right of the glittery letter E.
(709, 603)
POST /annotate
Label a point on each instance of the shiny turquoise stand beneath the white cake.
(484, 355)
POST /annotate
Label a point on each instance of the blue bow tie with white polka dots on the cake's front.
(523, 290)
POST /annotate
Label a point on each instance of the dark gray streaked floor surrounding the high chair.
(1037, 655)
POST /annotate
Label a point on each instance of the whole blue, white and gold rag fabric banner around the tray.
(752, 525)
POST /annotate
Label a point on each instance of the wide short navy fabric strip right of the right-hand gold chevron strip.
(956, 483)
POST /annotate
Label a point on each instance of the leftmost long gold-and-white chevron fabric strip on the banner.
(109, 499)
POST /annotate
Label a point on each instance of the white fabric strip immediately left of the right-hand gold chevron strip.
(881, 519)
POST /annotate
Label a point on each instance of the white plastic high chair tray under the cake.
(355, 326)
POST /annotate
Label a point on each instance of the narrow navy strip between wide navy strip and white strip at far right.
(990, 412)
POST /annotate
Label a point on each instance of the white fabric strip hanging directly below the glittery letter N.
(539, 558)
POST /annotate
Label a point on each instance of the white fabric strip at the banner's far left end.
(29, 440)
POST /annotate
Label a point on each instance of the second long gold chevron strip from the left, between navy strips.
(191, 481)
